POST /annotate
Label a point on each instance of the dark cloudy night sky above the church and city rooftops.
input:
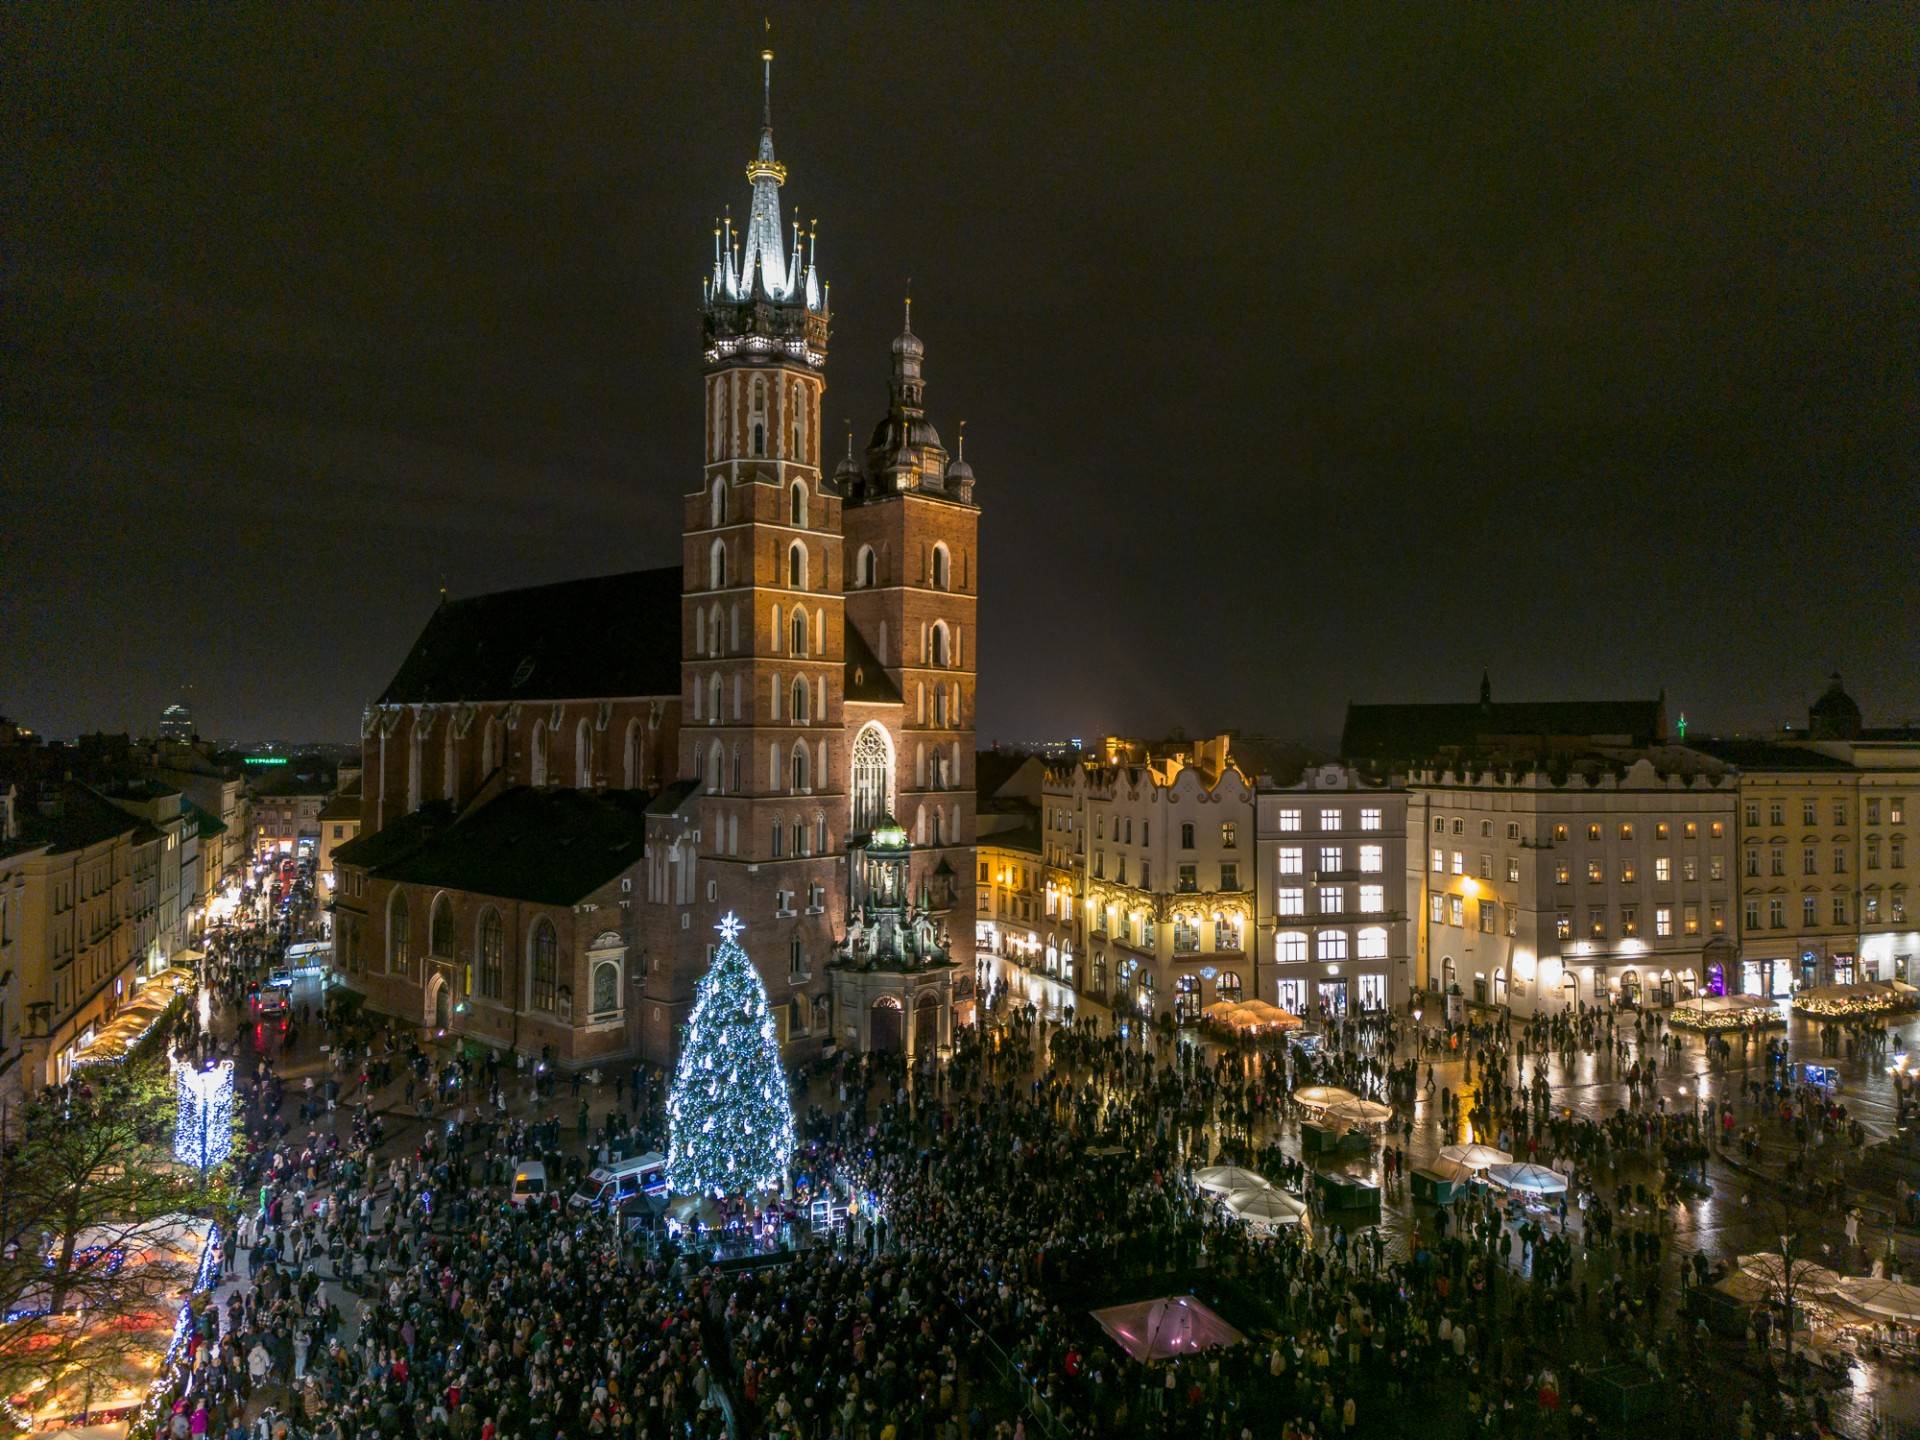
(1307, 356)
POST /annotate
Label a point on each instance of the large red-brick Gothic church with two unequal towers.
(800, 683)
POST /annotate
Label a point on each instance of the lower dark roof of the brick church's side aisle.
(540, 846)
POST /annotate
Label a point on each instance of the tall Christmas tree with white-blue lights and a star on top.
(731, 1116)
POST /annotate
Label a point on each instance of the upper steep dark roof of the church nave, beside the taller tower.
(598, 638)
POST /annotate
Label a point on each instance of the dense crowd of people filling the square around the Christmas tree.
(381, 1282)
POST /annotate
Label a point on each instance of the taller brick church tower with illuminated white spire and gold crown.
(761, 600)
